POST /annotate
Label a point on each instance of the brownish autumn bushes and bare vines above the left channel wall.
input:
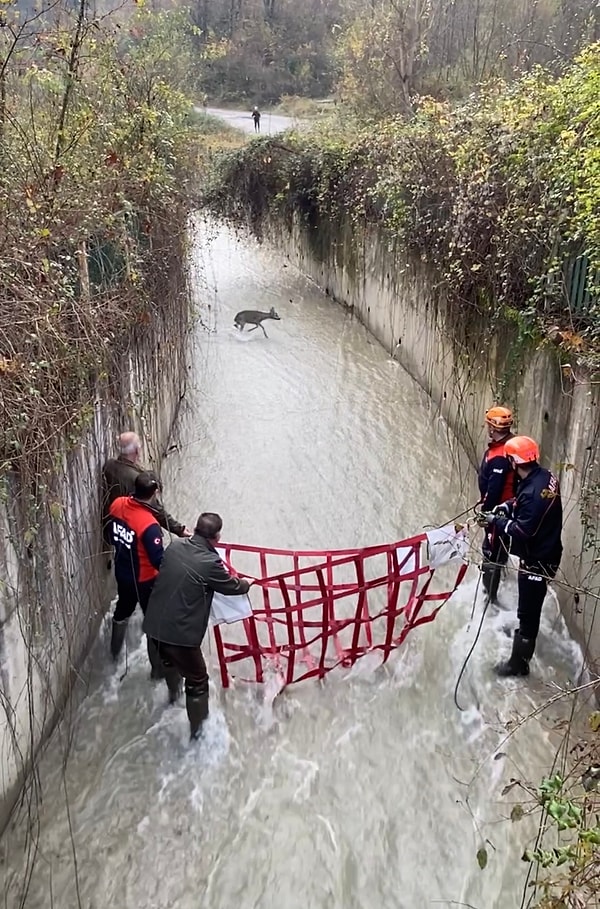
(96, 153)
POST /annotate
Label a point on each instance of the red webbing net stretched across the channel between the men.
(314, 611)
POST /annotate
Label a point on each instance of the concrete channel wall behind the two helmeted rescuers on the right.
(462, 369)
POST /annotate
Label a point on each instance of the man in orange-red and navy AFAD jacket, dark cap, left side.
(137, 538)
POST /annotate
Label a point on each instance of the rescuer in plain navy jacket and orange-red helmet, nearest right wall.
(533, 523)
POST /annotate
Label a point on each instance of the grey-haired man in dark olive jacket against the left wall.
(119, 478)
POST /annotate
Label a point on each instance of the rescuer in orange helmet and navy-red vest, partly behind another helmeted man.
(497, 482)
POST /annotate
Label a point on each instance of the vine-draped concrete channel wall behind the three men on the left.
(55, 586)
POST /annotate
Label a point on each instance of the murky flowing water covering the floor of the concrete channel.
(365, 791)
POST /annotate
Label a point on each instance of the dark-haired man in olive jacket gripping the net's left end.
(178, 611)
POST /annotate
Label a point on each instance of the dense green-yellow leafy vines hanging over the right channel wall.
(500, 195)
